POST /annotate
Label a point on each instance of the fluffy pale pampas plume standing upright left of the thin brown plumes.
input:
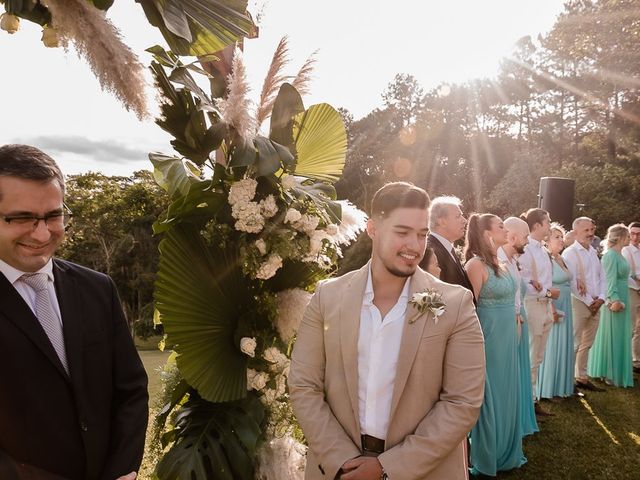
(235, 109)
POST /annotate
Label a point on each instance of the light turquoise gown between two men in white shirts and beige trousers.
(557, 368)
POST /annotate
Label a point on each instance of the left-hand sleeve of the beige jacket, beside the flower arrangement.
(327, 439)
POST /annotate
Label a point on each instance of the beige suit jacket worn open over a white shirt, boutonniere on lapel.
(437, 393)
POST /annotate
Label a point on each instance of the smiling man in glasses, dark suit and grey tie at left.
(74, 399)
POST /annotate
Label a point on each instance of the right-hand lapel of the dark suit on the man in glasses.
(71, 313)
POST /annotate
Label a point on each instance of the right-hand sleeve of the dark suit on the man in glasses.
(130, 409)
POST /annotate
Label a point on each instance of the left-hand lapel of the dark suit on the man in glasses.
(18, 312)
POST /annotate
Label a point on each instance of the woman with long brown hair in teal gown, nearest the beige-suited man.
(496, 439)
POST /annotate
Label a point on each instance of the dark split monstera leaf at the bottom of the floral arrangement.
(214, 441)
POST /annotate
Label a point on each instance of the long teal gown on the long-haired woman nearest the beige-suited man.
(496, 439)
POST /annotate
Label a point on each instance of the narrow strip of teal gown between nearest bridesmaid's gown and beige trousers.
(528, 422)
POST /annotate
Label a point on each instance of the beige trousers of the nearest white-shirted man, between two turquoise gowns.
(539, 320)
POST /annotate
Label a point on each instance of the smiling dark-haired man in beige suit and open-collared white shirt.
(381, 388)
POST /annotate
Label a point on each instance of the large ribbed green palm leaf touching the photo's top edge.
(199, 27)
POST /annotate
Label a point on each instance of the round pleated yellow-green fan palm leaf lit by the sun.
(320, 143)
